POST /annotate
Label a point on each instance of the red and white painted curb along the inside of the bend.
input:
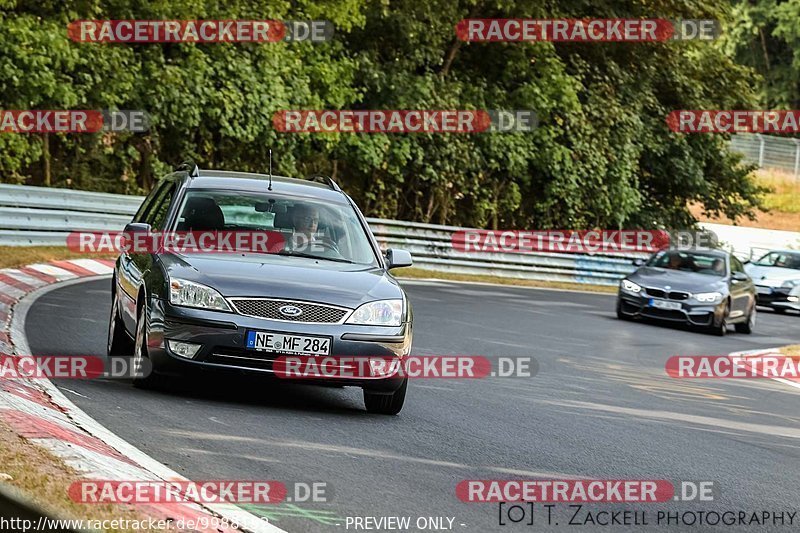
(38, 411)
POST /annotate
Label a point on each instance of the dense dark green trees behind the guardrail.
(601, 155)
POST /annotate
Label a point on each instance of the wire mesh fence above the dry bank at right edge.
(769, 151)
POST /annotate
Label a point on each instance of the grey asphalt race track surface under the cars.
(601, 406)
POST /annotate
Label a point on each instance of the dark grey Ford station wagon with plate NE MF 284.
(223, 312)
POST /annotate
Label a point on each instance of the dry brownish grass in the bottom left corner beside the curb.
(44, 479)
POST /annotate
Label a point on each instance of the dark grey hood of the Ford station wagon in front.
(294, 278)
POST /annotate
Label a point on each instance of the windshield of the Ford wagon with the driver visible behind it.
(305, 227)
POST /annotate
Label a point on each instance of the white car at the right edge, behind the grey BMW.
(777, 279)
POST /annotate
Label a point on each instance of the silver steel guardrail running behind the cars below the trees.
(31, 216)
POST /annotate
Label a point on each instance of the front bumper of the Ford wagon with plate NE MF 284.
(222, 336)
